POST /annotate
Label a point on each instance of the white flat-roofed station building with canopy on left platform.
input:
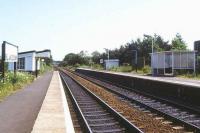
(29, 61)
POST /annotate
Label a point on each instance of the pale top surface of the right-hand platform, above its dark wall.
(173, 80)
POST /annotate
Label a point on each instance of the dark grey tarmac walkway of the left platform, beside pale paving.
(19, 111)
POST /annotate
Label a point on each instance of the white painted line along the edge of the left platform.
(68, 121)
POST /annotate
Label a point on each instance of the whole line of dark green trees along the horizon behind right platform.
(125, 53)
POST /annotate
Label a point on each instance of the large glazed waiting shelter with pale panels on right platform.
(165, 62)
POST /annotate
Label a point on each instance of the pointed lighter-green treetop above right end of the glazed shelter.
(178, 43)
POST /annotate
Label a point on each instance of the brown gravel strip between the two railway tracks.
(145, 122)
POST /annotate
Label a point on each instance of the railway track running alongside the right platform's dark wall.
(179, 114)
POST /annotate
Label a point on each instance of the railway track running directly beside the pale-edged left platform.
(94, 114)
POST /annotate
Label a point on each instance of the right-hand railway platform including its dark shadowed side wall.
(183, 90)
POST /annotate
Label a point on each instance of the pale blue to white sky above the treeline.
(66, 26)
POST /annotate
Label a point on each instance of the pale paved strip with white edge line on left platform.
(54, 116)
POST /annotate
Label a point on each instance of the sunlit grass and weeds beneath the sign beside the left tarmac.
(11, 84)
